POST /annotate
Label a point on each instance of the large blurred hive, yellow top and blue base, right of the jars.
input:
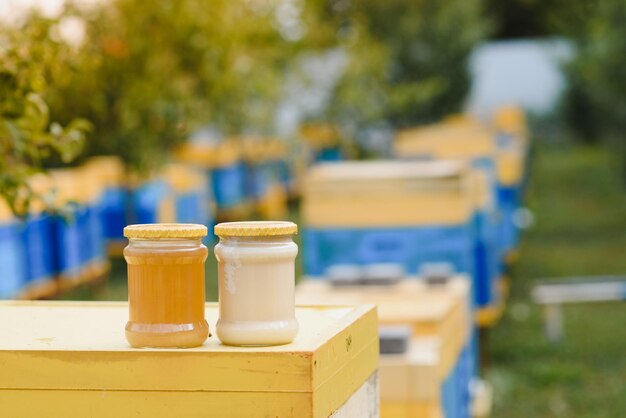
(407, 213)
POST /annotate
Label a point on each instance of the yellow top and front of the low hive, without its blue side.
(440, 320)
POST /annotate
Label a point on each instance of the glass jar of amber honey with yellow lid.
(166, 293)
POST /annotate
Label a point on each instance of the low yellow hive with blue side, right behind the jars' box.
(428, 350)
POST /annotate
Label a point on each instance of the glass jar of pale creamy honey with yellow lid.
(256, 278)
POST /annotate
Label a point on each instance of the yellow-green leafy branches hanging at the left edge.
(29, 55)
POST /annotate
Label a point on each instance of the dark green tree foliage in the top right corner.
(594, 104)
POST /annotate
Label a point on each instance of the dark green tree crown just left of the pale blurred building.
(408, 59)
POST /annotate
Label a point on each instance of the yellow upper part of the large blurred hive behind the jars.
(387, 193)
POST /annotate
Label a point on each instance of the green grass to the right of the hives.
(580, 227)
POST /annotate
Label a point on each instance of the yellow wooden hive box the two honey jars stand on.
(62, 359)
